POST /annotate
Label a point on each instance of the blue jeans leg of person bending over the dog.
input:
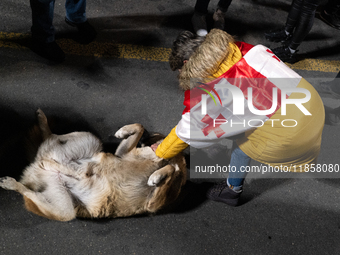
(238, 159)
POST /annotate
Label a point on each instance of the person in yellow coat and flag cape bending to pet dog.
(226, 83)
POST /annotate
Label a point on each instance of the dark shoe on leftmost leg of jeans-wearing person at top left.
(50, 51)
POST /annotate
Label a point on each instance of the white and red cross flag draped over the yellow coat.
(224, 110)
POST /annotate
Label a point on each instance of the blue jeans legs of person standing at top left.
(42, 17)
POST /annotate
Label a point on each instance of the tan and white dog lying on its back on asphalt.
(71, 176)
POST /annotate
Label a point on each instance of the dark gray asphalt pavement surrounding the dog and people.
(101, 94)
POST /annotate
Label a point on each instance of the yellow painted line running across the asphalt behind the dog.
(130, 51)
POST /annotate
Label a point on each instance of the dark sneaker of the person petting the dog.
(221, 192)
